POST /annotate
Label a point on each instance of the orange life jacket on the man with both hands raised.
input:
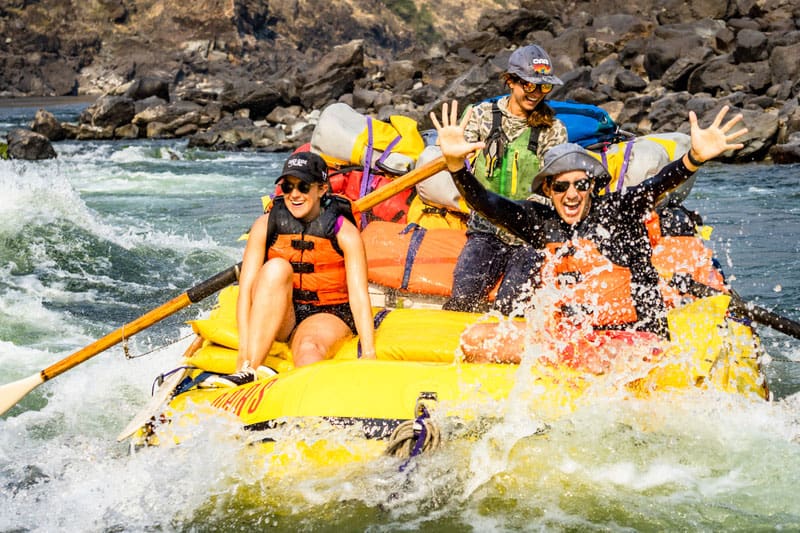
(599, 290)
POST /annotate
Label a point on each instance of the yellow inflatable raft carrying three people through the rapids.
(418, 374)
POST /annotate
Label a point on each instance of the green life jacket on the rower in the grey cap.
(504, 167)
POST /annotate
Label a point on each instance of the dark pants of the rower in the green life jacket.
(482, 262)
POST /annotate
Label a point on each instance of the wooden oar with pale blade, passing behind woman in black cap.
(12, 393)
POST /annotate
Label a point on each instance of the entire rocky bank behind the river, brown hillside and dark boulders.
(251, 73)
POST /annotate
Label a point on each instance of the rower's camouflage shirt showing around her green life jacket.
(478, 129)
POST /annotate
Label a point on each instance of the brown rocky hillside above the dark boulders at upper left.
(64, 47)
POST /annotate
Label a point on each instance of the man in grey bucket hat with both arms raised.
(596, 247)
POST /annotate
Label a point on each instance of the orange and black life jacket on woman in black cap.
(320, 277)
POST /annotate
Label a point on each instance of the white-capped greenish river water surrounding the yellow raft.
(110, 230)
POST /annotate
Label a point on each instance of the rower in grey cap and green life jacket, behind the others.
(517, 129)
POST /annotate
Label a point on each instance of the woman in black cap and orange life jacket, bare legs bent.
(304, 274)
